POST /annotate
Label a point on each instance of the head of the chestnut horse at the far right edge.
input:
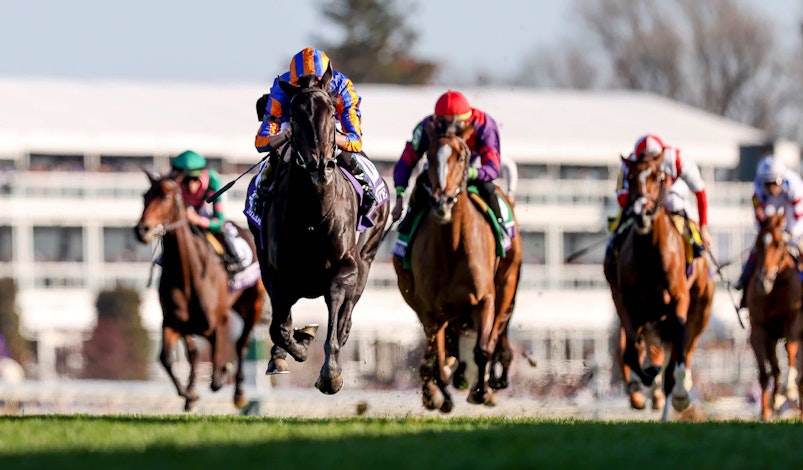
(771, 254)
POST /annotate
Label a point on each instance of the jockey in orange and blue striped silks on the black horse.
(273, 112)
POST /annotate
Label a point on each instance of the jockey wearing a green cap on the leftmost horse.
(197, 182)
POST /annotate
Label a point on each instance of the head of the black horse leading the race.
(312, 120)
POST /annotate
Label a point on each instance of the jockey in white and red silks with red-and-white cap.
(676, 167)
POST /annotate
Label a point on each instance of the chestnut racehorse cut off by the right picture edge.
(774, 302)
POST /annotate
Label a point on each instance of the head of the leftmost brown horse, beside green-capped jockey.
(163, 208)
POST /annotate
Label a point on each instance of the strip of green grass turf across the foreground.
(234, 443)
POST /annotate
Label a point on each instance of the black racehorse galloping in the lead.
(310, 246)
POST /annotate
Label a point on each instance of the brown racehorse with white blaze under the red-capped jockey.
(457, 281)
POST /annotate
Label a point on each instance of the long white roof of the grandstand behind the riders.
(116, 117)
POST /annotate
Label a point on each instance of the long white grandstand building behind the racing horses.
(71, 190)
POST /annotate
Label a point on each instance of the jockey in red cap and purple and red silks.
(452, 106)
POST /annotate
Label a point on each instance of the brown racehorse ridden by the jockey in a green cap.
(194, 290)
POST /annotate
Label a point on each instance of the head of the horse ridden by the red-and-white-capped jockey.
(647, 184)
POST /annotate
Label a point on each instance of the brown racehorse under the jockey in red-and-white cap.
(652, 287)
